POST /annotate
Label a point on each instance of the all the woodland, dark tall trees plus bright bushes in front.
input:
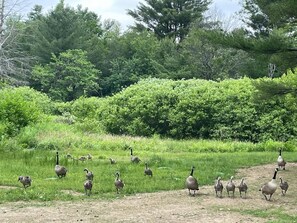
(176, 73)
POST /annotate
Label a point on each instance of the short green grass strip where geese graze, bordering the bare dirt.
(169, 168)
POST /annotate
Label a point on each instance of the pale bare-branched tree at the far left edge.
(14, 63)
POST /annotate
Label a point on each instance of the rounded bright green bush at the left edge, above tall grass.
(19, 108)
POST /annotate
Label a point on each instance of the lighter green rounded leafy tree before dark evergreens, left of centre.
(68, 77)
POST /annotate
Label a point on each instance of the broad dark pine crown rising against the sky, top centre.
(168, 18)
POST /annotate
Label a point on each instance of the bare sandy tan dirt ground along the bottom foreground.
(171, 206)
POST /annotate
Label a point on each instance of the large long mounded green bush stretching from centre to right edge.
(198, 109)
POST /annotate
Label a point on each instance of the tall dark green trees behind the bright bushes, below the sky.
(69, 52)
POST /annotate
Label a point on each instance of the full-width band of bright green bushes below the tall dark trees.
(183, 109)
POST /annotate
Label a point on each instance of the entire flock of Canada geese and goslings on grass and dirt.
(191, 183)
